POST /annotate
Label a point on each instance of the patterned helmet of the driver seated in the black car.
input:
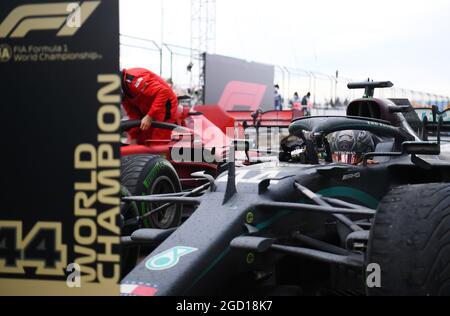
(350, 146)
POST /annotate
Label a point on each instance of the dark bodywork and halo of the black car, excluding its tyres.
(266, 202)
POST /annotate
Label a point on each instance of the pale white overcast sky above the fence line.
(406, 42)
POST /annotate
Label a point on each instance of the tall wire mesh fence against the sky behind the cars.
(183, 67)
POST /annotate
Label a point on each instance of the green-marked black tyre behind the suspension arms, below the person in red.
(147, 175)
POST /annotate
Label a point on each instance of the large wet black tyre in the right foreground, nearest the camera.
(410, 241)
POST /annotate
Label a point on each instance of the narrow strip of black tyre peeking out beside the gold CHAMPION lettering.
(129, 255)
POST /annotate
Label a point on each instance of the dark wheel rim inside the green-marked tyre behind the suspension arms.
(163, 219)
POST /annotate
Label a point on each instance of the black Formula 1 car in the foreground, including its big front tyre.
(307, 226)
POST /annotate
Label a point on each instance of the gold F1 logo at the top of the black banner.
(66, 17)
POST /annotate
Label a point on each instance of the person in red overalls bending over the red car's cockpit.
(148, 98)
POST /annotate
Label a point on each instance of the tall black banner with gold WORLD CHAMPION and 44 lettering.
(60, 165)
